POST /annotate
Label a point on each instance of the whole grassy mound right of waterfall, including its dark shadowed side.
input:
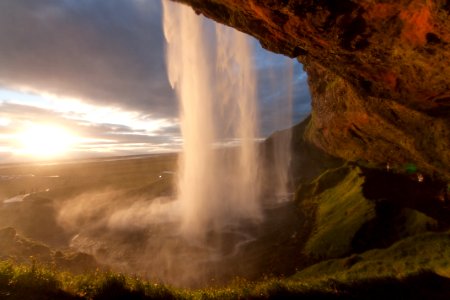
(352, 210)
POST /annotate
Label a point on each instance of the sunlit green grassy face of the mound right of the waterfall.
(341, 211)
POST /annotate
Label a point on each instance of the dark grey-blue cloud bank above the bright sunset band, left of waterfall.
(108, 52)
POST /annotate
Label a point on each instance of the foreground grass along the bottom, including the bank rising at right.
(414, 268)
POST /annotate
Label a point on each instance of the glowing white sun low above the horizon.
(43, 140)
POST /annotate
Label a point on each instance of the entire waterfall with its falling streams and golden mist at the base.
(221, 223)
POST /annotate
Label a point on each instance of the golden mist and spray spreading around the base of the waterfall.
(145, 239)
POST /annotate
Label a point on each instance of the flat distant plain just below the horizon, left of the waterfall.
(67, 179)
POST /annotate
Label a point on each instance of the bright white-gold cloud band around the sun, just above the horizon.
(92, 137)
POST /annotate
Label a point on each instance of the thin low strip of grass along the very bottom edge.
(39, 282)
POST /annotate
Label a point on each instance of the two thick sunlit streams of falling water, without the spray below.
(216, 87)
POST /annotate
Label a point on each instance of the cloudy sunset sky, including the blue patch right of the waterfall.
(88, 77)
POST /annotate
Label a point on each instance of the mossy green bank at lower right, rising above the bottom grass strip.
(428, 251)
